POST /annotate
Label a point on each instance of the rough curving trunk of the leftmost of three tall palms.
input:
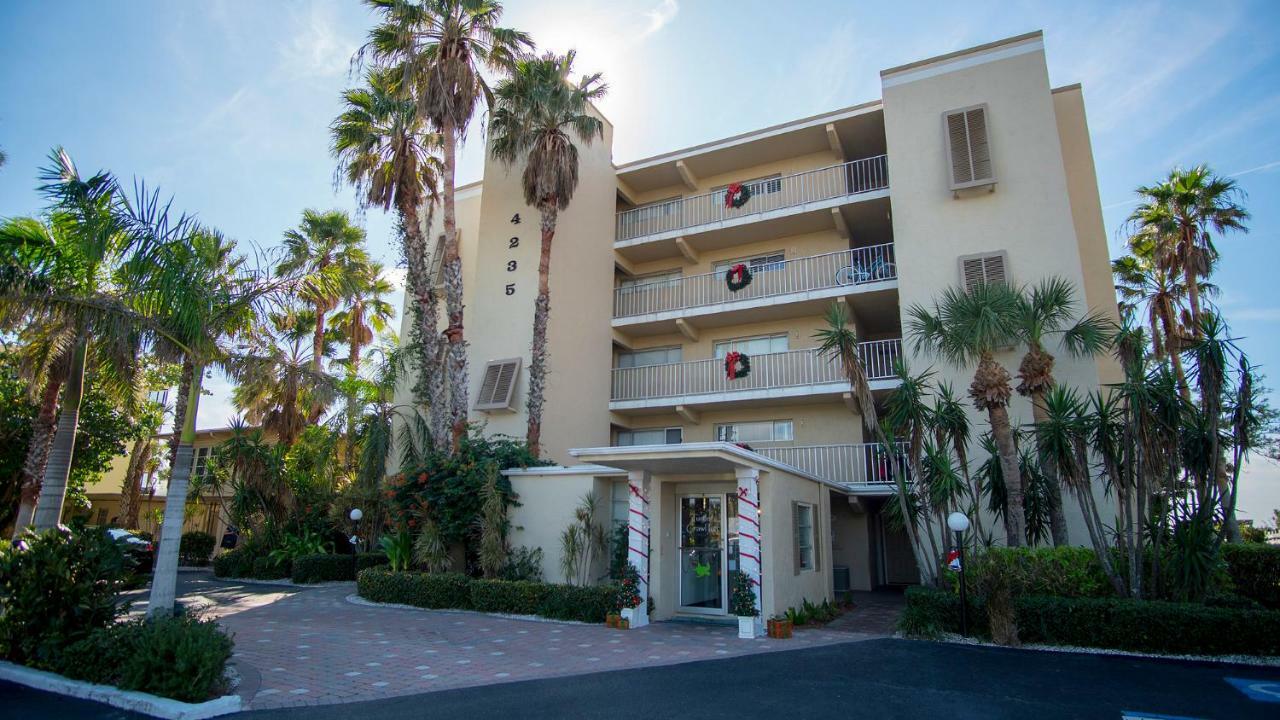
(429, 390)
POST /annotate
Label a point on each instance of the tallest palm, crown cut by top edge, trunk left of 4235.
(442, 48)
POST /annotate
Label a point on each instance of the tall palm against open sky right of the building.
(1178, 217)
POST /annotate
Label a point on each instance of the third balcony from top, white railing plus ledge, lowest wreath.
(797, 373)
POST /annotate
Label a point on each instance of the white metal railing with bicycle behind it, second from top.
(858, 266)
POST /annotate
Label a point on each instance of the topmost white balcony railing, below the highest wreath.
(770, 194)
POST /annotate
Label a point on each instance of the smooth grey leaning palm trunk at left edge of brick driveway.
(164, 582)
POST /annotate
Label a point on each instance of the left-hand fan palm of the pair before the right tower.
(970, 327)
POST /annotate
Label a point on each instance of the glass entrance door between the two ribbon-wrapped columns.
(703, 587)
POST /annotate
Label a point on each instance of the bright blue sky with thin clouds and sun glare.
(226, 104)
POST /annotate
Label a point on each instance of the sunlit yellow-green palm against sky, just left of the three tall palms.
(330, 252)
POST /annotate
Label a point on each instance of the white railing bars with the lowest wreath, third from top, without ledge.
(794, 368)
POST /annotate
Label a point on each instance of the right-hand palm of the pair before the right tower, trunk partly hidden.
(1045, 311)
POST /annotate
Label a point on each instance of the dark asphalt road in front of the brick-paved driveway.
(889, 678)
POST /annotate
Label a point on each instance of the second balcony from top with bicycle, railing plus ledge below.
(799, 281)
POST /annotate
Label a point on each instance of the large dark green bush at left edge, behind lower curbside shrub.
(56, 590)
